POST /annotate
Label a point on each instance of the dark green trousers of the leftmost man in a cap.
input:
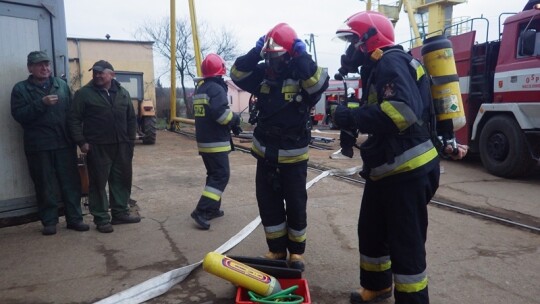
(56, 178)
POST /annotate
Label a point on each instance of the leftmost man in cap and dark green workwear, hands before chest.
(41, 104)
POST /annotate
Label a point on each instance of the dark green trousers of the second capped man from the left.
(110, 164)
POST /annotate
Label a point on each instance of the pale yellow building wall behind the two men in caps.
(126, 56)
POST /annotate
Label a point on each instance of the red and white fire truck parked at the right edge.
(500, 87)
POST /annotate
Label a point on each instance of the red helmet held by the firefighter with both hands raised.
(279, 40)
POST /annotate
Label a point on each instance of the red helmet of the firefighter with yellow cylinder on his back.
(369, 30)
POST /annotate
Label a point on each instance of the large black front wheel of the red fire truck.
(503, 148)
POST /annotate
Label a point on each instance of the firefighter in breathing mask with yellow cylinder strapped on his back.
(401, 163)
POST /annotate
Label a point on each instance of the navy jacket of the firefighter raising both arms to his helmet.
(283, 130)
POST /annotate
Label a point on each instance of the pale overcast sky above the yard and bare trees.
(250, 19)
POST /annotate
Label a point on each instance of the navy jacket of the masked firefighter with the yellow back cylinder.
(399, 100)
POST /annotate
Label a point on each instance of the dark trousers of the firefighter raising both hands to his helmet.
(282, 198)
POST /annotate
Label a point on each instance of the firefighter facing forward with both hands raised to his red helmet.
(287, 84)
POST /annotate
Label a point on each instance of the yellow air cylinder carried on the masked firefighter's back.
(439, 61)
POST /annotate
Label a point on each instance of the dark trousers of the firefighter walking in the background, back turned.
(217, 178)
